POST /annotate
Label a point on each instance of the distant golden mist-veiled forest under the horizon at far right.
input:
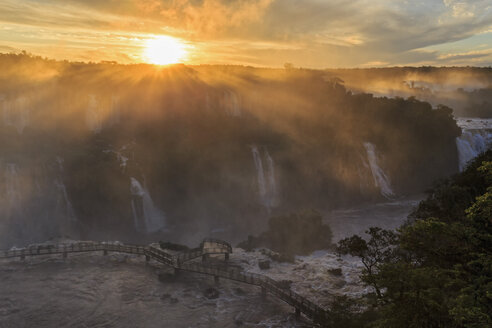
(468, 90)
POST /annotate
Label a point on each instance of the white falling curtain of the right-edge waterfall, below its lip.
(471, 144)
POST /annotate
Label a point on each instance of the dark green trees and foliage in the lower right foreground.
(436, 271)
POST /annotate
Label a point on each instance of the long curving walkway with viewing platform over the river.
(181, 262)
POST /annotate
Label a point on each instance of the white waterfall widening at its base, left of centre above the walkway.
(147, 218)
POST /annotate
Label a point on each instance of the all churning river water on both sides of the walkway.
(128, 293)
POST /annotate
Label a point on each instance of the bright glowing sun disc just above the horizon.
(164, 50)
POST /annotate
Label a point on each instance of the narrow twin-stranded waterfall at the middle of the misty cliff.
(267, 186)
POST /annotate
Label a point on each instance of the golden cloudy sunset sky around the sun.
(306, 33)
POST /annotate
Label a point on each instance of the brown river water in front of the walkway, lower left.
(118, 290)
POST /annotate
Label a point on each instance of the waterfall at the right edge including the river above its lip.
(476, 137)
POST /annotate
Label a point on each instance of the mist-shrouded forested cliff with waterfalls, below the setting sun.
(88, 148)
